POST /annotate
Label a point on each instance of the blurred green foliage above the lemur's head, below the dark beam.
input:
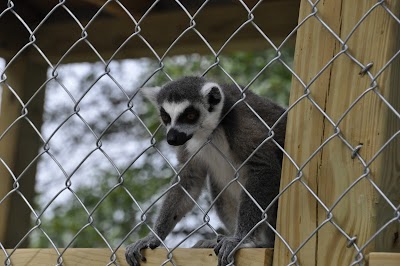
(272, 78)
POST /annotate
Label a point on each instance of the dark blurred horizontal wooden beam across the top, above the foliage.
(161, 30)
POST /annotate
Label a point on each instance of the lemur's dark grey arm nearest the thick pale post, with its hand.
(262, 183)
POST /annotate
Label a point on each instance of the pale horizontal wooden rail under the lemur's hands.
(181, 256)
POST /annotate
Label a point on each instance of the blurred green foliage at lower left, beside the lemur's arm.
(114, 217)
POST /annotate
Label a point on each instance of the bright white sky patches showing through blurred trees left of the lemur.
(121, 151)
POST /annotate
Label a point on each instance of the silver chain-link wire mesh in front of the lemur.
(299, 180)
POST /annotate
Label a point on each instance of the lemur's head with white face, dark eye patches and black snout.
(189, 108)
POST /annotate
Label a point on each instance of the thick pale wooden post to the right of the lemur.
(362, 211)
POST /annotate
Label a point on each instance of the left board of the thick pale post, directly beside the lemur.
(297, 213)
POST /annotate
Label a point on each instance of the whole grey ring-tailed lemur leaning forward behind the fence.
(195, 111)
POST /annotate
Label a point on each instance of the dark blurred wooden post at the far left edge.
(19, 146)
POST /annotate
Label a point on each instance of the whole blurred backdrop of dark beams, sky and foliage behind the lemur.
(102, 159)
